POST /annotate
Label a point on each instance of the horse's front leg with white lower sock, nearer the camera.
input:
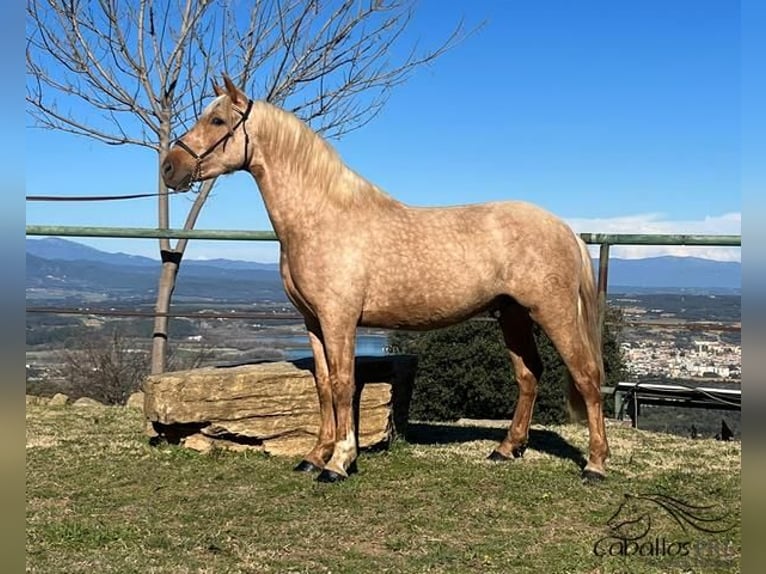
(339, 349)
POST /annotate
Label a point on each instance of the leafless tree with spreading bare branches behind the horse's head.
(143, 64)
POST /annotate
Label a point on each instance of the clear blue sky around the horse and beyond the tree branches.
(617, 116)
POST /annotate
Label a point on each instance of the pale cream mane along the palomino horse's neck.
(317, 160)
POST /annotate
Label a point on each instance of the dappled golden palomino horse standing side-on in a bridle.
(352, 255)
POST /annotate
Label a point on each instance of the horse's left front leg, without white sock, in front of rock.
(316, 458)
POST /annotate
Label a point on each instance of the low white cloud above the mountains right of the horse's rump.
(726, 224)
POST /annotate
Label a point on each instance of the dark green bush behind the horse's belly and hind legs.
(464, 371)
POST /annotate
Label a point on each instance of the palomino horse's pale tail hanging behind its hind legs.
(590, 331)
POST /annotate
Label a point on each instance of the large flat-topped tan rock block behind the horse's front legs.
(273, 406)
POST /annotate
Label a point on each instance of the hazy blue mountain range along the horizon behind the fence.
(58, 268)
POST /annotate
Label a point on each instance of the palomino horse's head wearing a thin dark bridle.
(217, 144)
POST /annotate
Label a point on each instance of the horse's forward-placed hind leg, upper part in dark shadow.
(528, 368)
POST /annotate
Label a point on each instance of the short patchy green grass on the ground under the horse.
(100, 499)
